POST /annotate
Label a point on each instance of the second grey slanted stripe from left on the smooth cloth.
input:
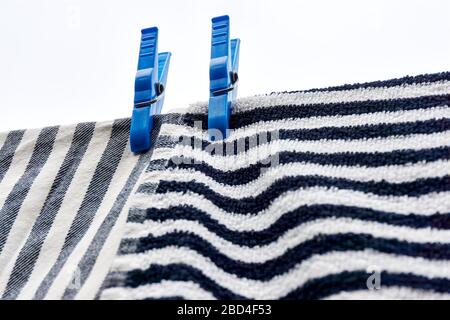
(41, 152)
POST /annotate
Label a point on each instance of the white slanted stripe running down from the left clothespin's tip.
(121, 175)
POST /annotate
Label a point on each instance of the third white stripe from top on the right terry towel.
(262, 152)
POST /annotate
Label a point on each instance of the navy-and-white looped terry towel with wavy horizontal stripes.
(315, 194)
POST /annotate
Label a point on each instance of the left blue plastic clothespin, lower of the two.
(149, 88)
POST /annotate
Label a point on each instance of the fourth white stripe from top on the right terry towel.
(391, 174)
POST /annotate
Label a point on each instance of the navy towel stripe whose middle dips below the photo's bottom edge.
(312, 289)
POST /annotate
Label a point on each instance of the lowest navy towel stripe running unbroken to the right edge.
(320, 244)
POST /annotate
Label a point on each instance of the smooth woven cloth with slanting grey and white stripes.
(63, 195)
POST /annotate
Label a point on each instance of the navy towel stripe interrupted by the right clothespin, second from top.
(283, 112)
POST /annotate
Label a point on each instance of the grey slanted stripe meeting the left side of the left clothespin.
(93, 198)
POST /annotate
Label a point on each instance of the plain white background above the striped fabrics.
(66, 61)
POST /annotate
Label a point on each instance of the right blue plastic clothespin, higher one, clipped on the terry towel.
(223, 76)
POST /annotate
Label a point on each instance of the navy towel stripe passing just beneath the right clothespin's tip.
(325, 133)
